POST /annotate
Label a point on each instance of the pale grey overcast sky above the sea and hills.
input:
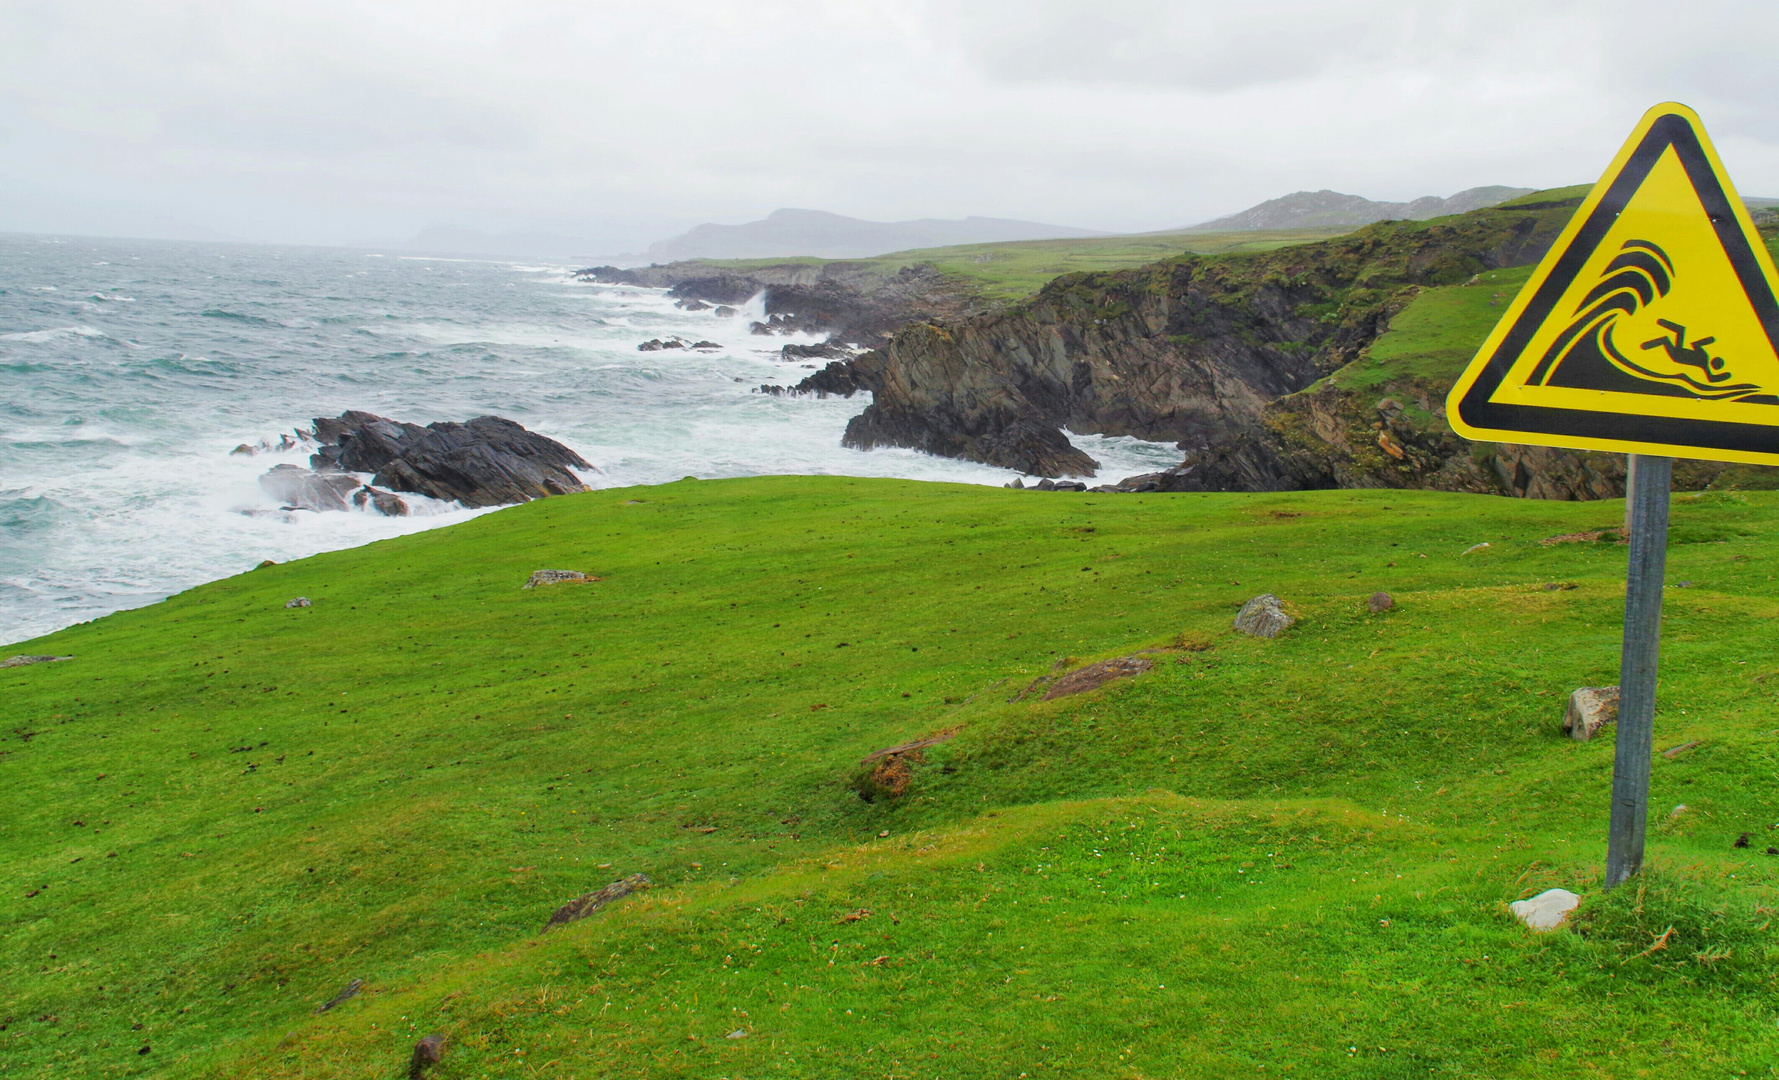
(624, 122)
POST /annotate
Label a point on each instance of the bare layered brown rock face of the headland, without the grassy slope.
(1189, 350)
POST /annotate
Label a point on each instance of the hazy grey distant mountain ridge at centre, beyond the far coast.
(832, 236)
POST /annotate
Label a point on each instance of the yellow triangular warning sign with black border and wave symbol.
(1652, 326)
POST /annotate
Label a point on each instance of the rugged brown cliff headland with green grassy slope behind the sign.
(1321, 366)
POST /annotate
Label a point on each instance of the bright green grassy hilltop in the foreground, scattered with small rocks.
(1257, 858)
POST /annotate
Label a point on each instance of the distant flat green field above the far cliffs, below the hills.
(1017, 270)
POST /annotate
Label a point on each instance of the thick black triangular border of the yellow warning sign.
(1707, 435)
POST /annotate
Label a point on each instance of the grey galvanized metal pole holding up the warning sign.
(1638, 666)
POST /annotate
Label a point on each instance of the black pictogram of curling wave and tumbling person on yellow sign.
(1588, 355)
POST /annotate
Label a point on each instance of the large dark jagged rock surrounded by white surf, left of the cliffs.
(487, 462)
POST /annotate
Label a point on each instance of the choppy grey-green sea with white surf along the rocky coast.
(131, 369)
